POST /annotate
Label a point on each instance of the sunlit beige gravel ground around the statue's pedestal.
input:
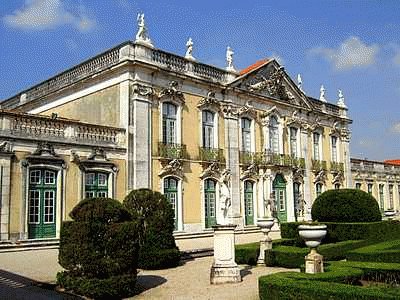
(192, 281)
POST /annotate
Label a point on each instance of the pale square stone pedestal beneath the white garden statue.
(224, 268)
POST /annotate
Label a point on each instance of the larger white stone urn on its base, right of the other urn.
(312, 235)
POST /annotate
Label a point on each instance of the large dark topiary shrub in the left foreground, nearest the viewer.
(99, 250)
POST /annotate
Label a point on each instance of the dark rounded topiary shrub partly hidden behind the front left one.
(156, 220)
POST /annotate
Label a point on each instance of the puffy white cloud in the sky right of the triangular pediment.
(352, 53)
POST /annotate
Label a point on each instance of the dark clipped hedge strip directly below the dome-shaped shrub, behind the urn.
(336, 232)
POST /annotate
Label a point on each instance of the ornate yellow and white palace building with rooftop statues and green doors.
(139, 117)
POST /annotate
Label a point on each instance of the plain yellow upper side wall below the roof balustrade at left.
(101, 108)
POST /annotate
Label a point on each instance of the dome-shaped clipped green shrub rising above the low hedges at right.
(345, 205)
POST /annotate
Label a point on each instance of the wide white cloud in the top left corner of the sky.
(47, 14)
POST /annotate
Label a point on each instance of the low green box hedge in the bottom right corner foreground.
(340, 281)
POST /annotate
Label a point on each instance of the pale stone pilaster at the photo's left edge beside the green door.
(5, 174)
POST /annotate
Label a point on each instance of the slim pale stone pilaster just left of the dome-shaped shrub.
(307, 172)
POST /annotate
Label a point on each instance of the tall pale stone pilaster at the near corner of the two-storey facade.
(139, 138)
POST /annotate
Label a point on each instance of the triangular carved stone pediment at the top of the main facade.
(271, 80)
